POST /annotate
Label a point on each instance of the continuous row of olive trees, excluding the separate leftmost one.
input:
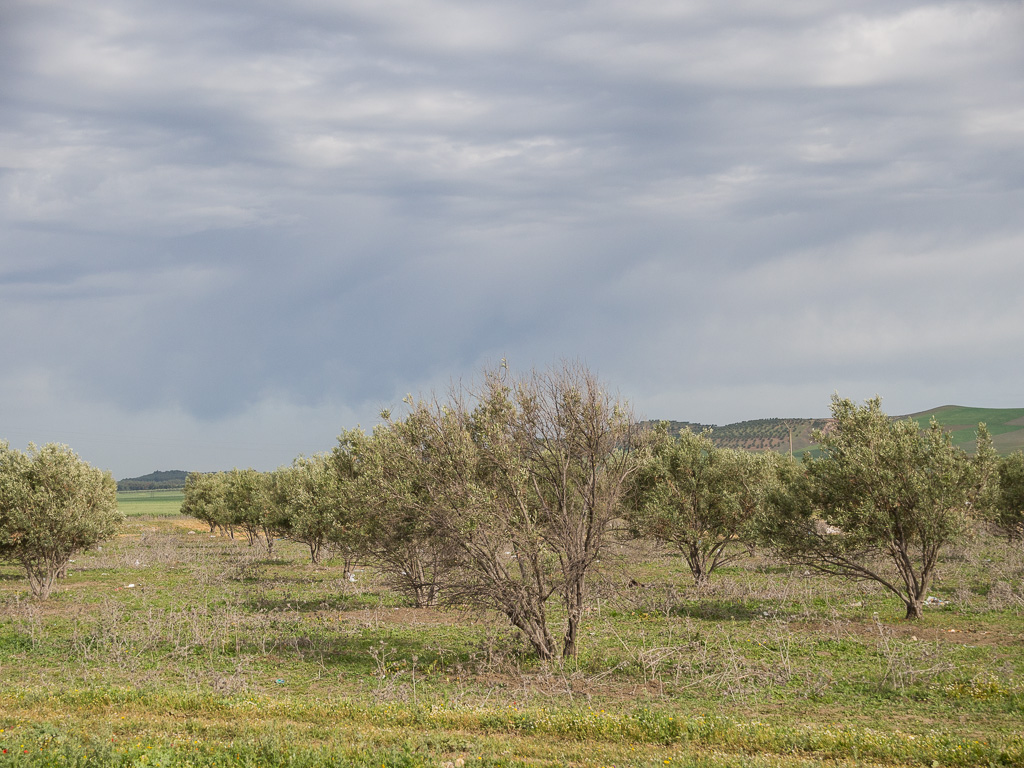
(505, 495)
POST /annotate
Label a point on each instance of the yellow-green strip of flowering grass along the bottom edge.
(294, 733)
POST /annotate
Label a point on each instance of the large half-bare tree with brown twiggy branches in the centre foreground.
(518, 483)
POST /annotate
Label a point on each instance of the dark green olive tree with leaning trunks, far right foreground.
(881, 502)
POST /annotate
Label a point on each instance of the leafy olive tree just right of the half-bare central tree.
(700, 499)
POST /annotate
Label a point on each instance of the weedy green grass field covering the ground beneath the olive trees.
(173, 648)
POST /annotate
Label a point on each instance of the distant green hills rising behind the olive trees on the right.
(1006, 425)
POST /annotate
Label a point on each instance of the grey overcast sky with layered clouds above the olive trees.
(231, 229)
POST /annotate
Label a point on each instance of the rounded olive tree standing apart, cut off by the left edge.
(53, 505)
